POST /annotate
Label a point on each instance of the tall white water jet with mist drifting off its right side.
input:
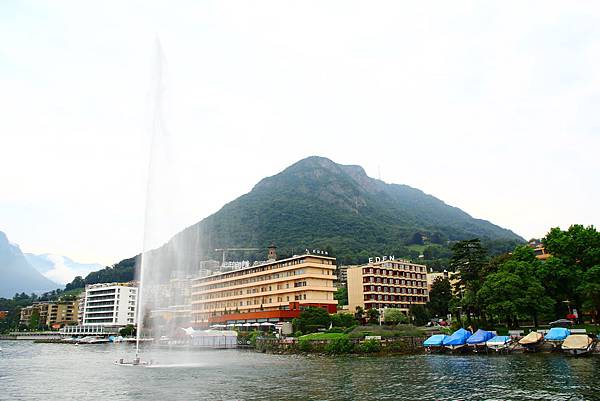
(169, 259)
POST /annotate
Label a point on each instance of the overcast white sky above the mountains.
(490, 106)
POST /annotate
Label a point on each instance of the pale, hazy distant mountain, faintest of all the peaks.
(60, 269)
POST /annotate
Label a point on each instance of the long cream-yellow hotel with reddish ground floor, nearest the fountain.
(274, 291)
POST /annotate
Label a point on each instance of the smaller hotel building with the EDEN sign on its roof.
(388, 283)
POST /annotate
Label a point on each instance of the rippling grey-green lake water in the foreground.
(31, 371)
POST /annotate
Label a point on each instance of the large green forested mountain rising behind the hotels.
(316, 203)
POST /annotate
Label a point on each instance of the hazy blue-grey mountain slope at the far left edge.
(16, 274)
